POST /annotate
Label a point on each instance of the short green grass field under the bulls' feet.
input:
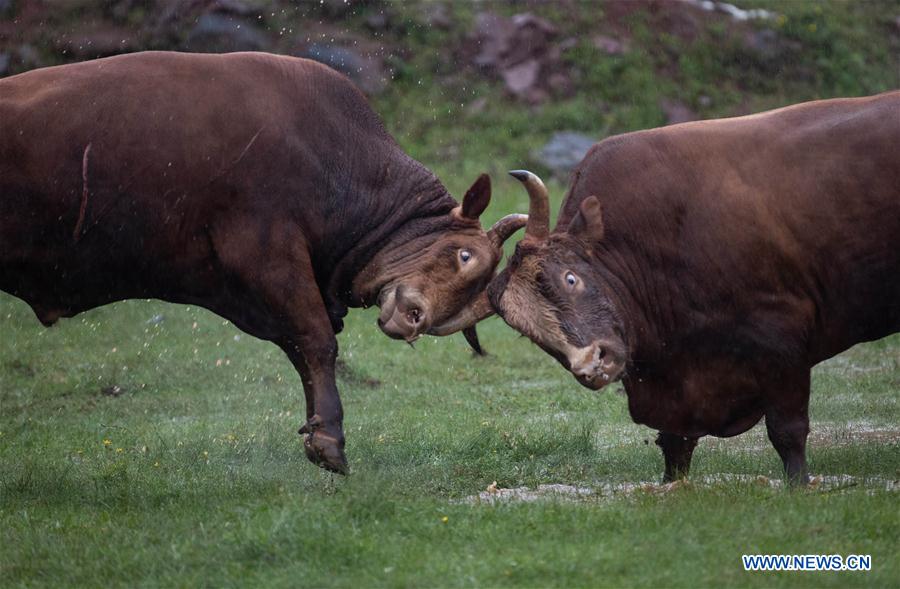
(204, 481)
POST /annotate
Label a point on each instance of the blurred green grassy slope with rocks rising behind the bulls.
(826, 49)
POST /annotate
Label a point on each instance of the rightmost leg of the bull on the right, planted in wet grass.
(787, 423)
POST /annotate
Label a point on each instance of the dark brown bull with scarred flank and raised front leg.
(263, 188)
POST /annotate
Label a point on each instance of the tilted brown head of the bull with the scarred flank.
(433, 282)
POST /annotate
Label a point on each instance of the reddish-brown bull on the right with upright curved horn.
(710, 265)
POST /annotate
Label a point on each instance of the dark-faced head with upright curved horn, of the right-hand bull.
(553, 290)
